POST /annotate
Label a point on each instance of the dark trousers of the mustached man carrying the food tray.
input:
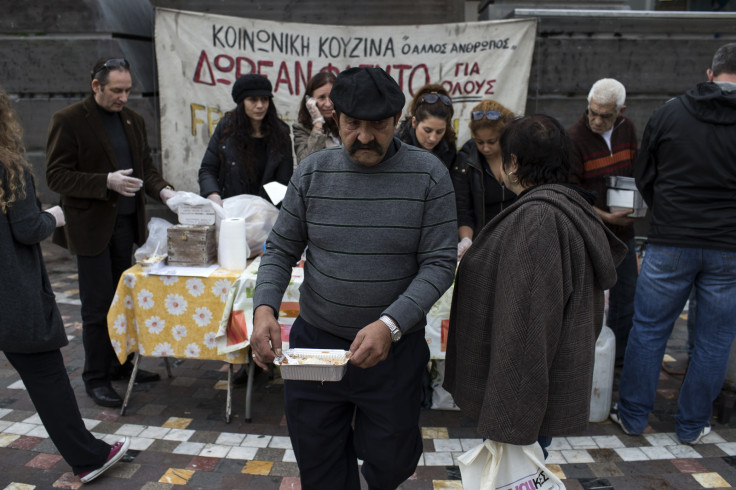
(372, 414)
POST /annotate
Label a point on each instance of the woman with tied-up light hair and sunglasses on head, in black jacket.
(479, 192)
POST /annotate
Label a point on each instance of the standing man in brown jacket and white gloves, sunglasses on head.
(98, 159)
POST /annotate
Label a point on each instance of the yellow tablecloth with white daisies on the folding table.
(170, 316)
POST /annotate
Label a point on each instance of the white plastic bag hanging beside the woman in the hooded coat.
(498, 466)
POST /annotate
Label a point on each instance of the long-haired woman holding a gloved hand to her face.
(315, 128)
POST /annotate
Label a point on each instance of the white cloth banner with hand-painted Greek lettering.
(199, 56)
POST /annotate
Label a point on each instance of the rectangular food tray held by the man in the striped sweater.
(314, 372)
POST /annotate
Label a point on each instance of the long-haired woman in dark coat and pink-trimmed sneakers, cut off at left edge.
(31, 329)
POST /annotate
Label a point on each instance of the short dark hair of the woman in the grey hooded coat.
(541, 148)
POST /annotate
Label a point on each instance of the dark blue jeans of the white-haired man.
(621, 301)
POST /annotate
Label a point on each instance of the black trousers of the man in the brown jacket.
(98, 279)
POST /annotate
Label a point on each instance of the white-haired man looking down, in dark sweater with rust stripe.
(604, 144)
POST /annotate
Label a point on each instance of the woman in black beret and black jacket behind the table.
(250, 146)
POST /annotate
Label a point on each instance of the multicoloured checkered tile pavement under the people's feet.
(179, 436)
